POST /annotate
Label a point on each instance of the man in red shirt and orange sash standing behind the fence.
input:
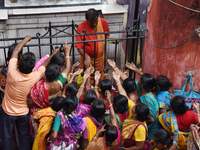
(92, 24)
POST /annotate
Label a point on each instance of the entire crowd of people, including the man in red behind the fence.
(46, 107)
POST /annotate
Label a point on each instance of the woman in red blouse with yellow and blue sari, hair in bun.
(179, 119)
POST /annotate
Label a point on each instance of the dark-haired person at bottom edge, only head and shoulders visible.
(162, 140)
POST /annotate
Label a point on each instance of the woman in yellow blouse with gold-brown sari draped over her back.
(134, 130)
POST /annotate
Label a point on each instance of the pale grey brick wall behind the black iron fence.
(21, 25)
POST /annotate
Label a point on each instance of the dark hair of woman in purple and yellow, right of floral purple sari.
(97, 110)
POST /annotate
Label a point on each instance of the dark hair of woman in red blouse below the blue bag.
(178, 105)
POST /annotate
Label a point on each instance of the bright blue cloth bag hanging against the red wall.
(191, 96)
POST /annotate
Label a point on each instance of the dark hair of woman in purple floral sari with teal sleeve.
(69, 103)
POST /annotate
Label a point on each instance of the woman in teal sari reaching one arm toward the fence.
(144, 88)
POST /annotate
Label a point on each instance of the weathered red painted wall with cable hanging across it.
(169, 25)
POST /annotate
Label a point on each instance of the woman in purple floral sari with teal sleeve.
(67, 128)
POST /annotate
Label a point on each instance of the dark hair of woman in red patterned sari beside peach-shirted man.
(52, 72)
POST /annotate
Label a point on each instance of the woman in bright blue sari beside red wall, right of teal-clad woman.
(163, 93)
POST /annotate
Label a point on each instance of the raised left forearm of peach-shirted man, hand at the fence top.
(19, 46)
